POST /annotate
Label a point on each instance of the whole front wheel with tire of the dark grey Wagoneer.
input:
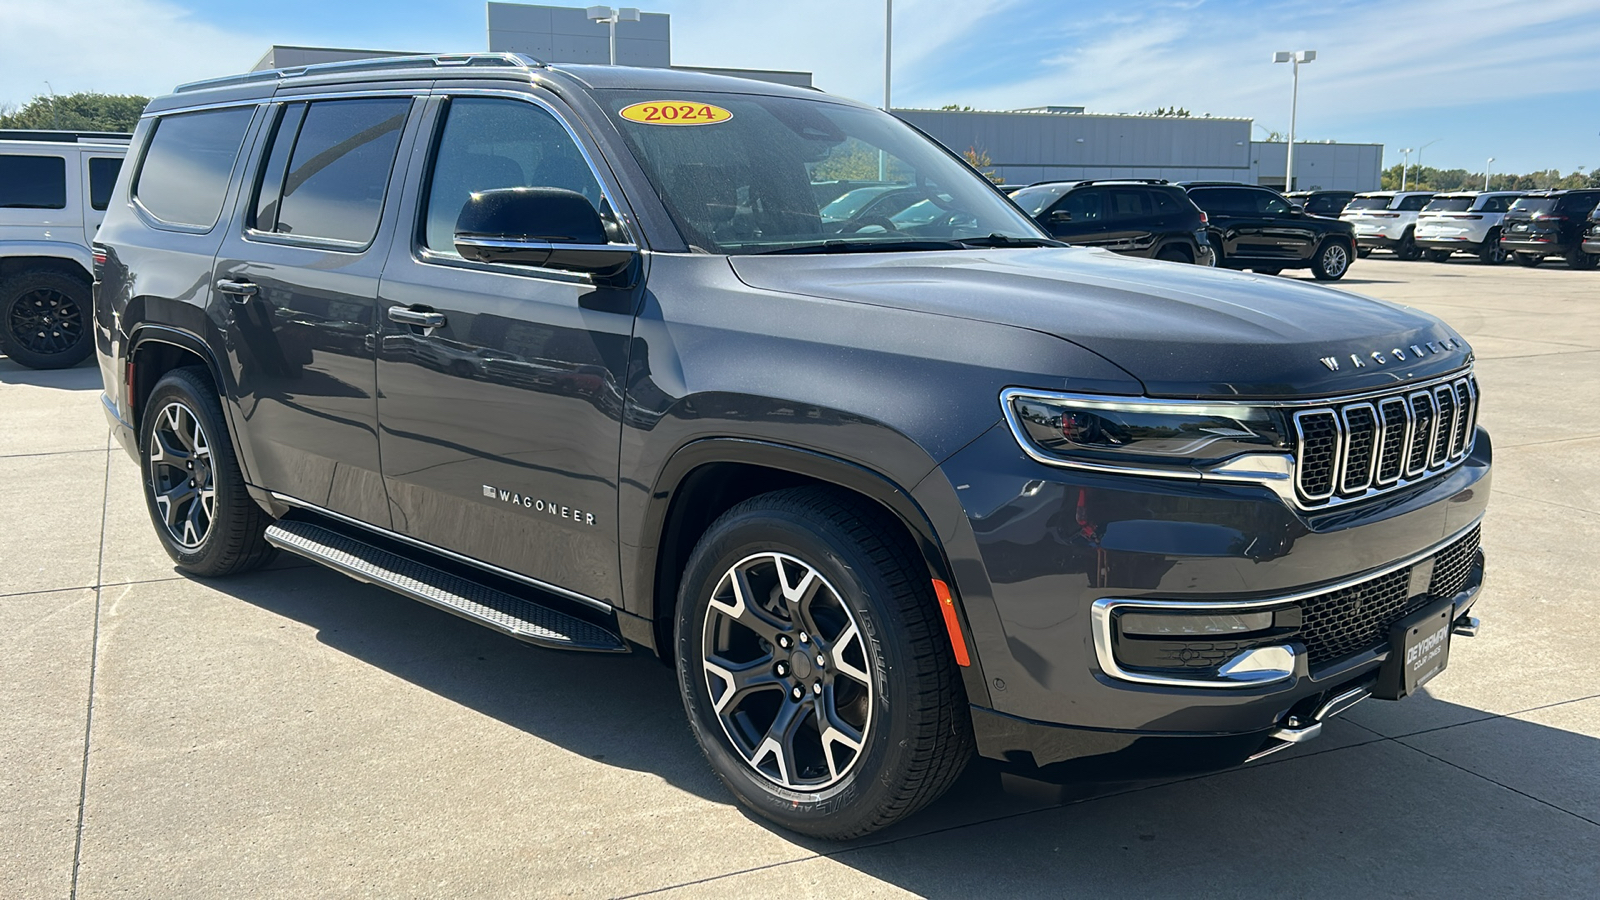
(887, 680)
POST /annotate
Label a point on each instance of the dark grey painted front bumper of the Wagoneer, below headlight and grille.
(1044, 545)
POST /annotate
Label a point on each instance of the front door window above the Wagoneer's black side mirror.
(508, 143)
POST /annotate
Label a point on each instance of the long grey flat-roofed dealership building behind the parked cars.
(1023, 145)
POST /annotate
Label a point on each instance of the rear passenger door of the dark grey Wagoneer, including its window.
(298, 286)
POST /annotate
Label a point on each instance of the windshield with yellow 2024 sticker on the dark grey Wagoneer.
(738, 174)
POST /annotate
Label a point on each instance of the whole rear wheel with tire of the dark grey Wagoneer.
(183, 425)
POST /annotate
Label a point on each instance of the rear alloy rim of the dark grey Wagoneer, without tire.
(182, 476)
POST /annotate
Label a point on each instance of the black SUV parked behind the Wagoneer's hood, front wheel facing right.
(1255, 228)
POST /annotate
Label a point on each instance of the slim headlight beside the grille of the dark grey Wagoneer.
(1135, 433)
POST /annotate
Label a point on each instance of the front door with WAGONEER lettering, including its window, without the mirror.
(502, 419)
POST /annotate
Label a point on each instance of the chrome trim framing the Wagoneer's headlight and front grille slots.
(1276, 472)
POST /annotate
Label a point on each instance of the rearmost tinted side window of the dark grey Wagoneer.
(183, 179)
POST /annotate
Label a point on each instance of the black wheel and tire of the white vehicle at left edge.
(46, 319)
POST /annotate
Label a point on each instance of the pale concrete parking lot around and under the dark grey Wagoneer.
(297, 734)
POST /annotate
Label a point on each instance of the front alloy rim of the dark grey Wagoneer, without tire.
(786, 672)
